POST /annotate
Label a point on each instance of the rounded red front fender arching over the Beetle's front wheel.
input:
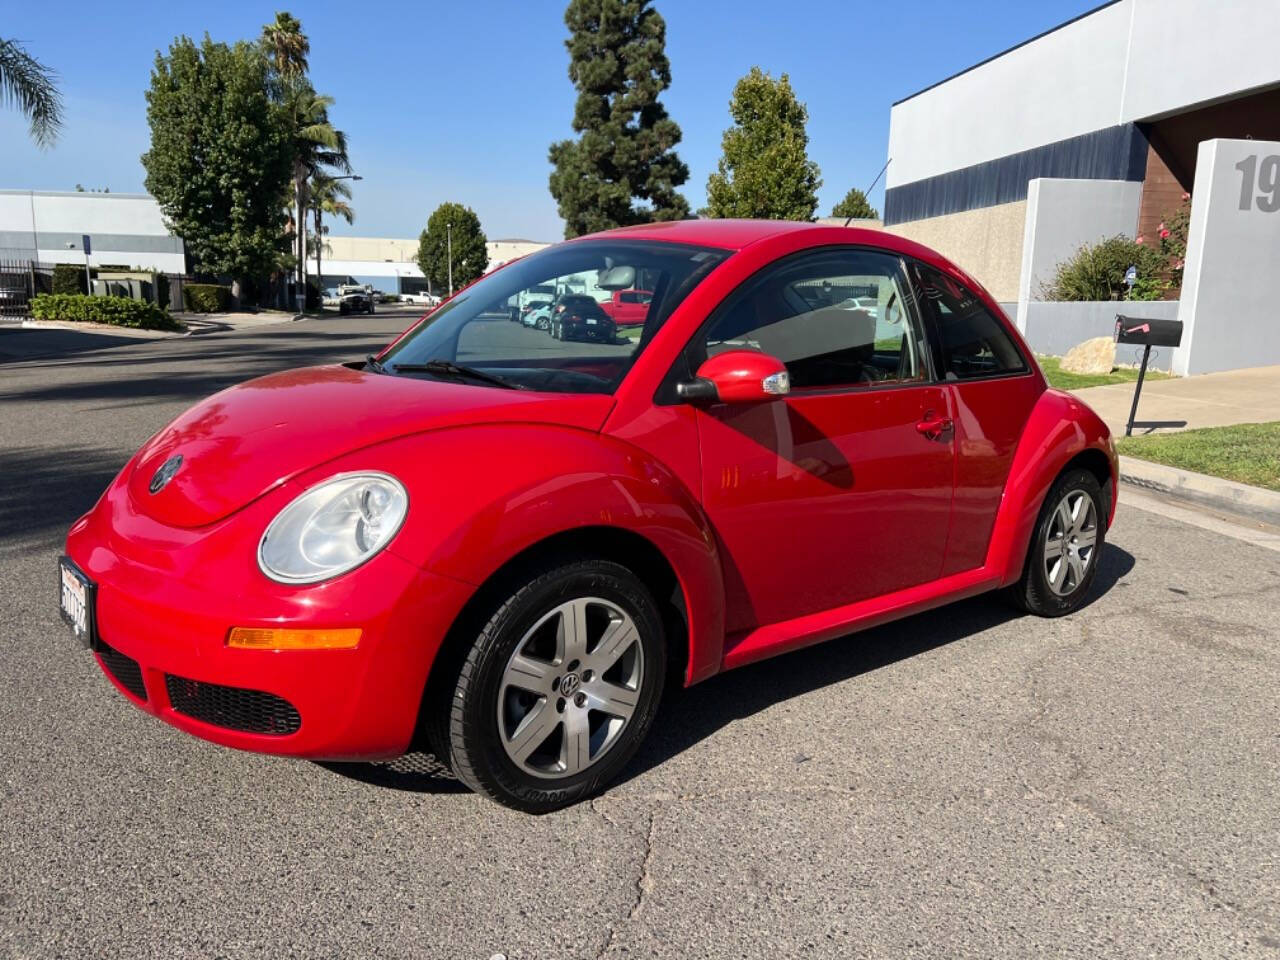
(510, 487)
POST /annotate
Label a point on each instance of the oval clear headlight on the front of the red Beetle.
(332, 528)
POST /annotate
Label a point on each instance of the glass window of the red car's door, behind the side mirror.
(836, 318)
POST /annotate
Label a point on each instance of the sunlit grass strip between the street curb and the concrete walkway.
(1249, 454)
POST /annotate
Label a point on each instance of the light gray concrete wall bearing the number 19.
(1231, 310)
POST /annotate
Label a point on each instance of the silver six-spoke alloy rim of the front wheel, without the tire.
(570, 688)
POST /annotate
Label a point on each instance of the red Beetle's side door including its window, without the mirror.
(842, 491)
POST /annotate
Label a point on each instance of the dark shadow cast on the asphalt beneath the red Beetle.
(691, 716)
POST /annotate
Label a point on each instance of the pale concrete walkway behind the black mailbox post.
(1188, 403)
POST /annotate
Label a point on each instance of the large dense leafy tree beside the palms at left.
(221, 157)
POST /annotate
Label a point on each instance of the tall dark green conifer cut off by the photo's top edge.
(627, 145)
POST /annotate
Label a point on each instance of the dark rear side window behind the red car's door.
(975, 344)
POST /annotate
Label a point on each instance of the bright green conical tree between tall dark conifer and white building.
(765, 171)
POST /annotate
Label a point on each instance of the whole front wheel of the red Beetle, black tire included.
(559, 689)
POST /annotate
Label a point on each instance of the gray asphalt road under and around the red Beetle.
(962, 784)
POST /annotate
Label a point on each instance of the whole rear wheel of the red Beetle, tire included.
(1063, 557)
